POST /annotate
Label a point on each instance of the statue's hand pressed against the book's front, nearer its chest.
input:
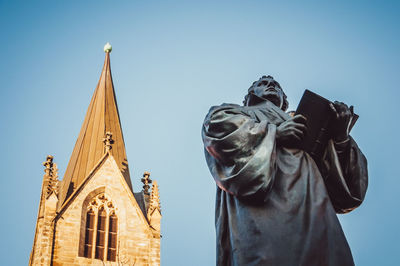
(291, 132)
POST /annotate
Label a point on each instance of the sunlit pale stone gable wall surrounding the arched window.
(135, 244)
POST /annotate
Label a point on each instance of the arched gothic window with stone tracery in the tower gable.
(100, 239)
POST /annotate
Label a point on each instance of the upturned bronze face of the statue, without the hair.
(270, 90)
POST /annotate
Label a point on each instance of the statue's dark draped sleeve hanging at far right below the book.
(346, 175)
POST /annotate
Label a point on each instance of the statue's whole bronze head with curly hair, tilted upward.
(266, 88)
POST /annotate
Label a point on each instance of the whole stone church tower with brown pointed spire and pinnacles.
(92, 216)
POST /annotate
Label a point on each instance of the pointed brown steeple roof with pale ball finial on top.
(102, 116)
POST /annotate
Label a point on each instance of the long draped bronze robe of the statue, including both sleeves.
(274, 206)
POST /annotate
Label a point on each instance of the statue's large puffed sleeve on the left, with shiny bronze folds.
(240, 152)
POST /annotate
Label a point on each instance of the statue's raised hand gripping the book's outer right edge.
(343, 116)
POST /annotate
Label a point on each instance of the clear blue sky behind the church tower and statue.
(171, 61)
